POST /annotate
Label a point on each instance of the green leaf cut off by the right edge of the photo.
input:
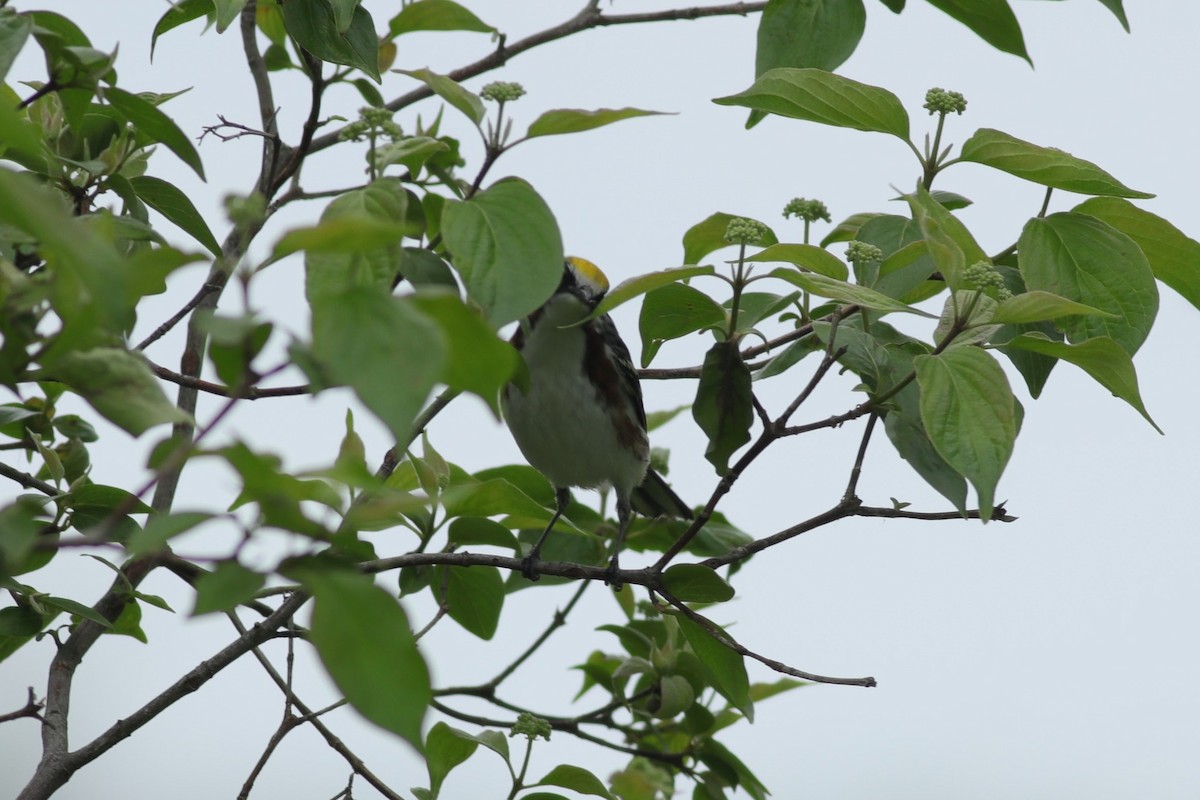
(1173, 256)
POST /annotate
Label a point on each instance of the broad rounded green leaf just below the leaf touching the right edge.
(1088, 261)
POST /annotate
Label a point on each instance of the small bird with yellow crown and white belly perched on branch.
(581, 422)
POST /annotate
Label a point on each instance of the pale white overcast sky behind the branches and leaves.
(1052, 658)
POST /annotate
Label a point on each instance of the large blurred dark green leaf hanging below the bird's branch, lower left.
(365, 642)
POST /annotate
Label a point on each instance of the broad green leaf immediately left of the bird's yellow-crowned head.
(507, 248)
